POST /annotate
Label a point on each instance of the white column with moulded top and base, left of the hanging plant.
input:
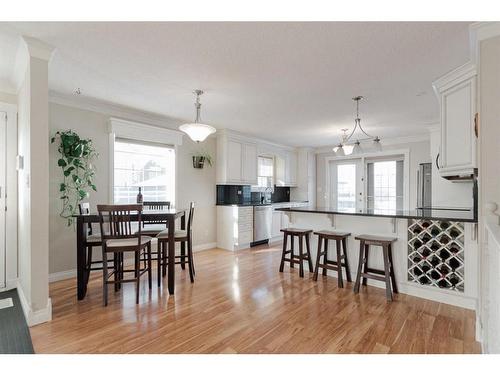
(33, 180)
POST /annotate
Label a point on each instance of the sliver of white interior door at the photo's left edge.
(3, 165)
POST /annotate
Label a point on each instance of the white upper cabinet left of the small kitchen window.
(236, 160)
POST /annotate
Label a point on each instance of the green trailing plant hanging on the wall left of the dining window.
(76, 156)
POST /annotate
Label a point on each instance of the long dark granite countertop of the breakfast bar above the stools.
(463, 215)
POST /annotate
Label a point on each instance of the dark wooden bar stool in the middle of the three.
(340, 238)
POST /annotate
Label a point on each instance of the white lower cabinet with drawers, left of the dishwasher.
(234, 227)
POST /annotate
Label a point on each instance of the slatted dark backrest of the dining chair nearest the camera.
(119, 220)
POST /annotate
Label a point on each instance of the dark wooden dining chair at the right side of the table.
(179, 236)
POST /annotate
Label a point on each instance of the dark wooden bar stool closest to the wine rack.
(365, 272)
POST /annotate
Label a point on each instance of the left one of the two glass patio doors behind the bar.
(346, 185)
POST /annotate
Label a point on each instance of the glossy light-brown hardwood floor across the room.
(240, 303)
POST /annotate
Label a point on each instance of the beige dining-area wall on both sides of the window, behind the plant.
(192, 184)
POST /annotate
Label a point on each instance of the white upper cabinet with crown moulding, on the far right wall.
(456, 92)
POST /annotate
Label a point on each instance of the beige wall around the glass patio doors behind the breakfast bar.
(419, 153)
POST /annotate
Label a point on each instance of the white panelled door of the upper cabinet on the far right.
(458, 143)
